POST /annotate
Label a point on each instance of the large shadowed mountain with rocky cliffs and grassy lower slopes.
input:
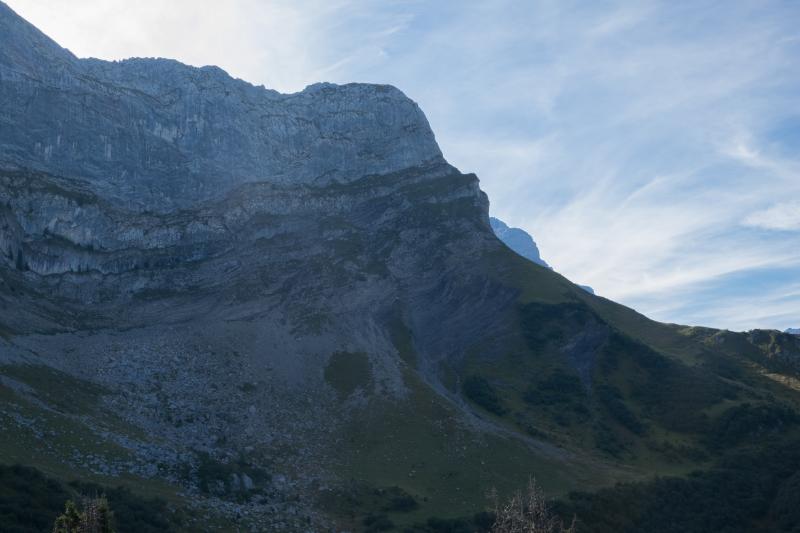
(290, 313)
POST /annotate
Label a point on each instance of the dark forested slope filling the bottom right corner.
(751, 490)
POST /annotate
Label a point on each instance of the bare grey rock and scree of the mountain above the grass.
(204, 250)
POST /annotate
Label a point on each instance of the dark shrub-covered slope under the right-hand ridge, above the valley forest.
(584, 382)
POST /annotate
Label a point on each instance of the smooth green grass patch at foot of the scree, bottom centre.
(424, 447)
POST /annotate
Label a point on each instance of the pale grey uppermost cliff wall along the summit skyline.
(157, 134)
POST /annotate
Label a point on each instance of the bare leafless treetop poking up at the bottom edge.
(526, 512)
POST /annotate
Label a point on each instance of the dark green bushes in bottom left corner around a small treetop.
(31, 501)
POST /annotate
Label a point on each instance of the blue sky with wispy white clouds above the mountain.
(652, 149)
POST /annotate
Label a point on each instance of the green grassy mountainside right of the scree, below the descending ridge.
(655, 400)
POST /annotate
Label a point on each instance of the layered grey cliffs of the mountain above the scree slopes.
(113, 171)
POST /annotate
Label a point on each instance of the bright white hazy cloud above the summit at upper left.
(282, 44)
